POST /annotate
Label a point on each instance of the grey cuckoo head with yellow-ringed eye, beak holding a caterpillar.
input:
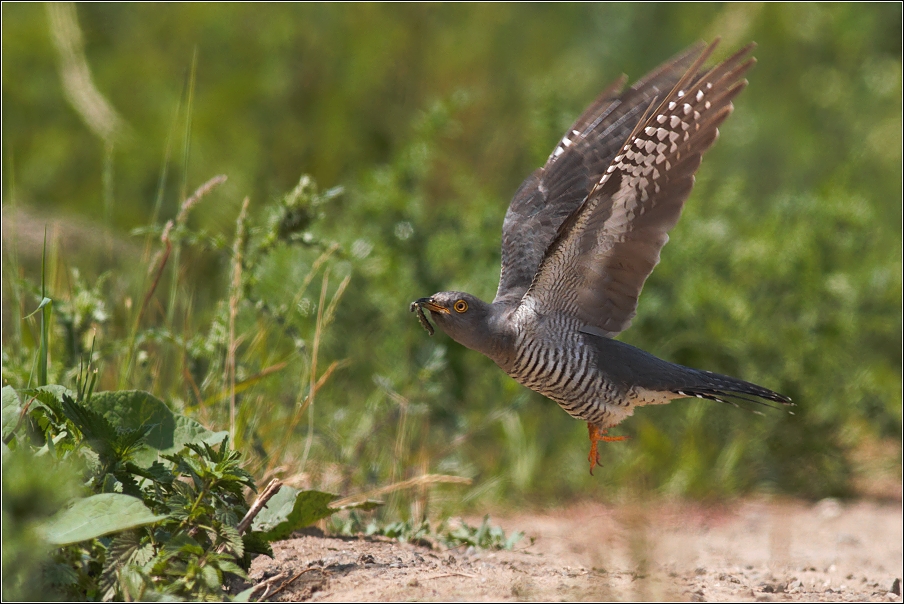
(465, 318)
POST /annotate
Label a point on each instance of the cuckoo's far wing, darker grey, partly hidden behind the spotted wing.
(552, 193)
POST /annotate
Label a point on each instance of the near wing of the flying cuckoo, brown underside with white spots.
(604, 252)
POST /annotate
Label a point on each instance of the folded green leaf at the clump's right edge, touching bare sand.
(290, 510)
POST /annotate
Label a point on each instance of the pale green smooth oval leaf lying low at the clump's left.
(97, 516)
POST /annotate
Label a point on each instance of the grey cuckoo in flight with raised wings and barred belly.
(581, 236)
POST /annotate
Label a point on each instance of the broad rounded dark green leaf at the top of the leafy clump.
(132, 409)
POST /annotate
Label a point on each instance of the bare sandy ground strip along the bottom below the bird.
(753, 551)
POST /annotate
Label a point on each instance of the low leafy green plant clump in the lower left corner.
(162, 511)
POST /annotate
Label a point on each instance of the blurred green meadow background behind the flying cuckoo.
(785, 268)
